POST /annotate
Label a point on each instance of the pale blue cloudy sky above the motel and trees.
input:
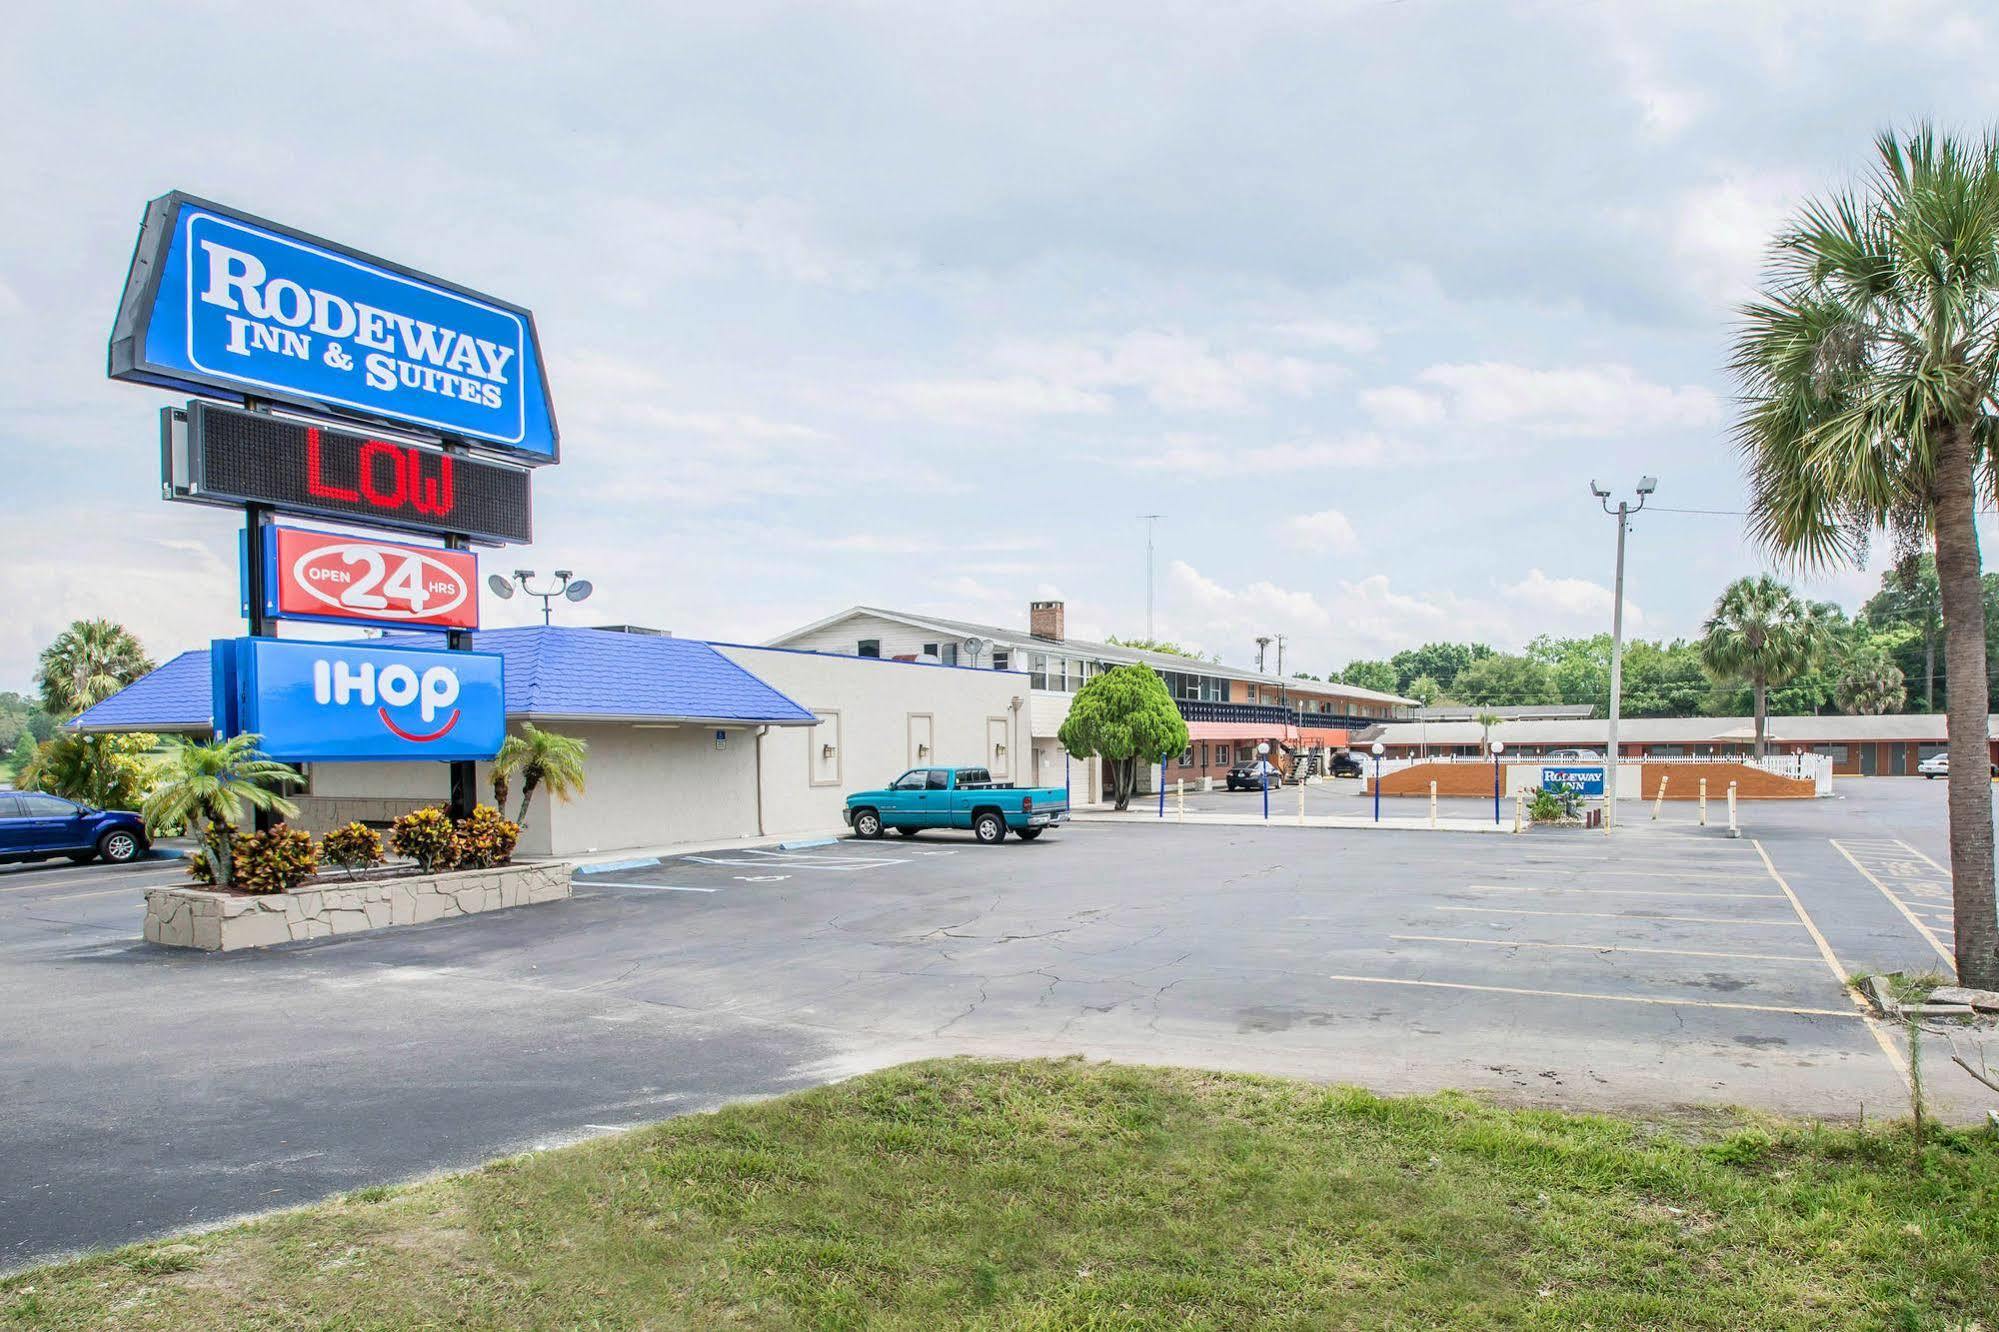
(923, 305)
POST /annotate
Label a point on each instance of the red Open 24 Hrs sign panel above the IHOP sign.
(329, 577)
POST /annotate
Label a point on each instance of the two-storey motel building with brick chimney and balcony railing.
(1228, 711)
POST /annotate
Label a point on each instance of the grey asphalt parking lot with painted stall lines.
(151, 1089)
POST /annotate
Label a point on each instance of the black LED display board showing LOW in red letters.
(239, 457)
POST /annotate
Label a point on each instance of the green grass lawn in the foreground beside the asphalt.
(1068, 1195)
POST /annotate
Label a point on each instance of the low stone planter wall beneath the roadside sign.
(229, 921)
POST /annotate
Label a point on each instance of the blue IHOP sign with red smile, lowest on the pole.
(339, 701)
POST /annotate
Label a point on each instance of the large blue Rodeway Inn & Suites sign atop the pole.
(225, 301)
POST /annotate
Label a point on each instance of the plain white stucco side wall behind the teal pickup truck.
(871, 713)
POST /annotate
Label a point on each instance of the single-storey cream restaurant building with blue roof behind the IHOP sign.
(689, 741)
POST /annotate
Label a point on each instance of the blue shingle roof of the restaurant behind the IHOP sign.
(557, 673)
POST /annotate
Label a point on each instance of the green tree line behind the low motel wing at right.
(1882, 659)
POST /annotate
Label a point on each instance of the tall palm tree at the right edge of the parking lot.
(1870, 373)
